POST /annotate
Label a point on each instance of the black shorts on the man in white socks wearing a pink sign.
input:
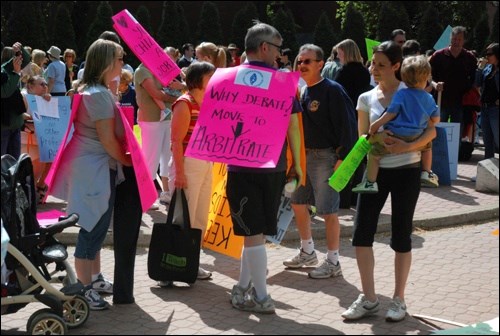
(254, 201)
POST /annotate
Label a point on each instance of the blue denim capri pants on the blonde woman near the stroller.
(89, 243)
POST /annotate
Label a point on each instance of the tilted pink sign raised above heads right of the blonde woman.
(145, 47)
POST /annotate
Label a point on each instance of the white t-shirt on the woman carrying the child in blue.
(368, 103)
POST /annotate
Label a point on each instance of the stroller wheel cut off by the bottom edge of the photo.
(46, 322)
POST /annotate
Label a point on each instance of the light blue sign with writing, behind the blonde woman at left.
(50, 130)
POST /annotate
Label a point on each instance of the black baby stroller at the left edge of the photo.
(32, 251)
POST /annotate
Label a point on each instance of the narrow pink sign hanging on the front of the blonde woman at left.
(147, 190)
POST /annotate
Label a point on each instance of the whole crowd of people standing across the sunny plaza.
(339, 100)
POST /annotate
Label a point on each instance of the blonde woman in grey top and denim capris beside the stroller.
(95, 153)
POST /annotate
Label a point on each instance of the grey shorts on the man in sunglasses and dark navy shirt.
(317, 191)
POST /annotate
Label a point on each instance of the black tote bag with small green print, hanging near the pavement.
(174, 250)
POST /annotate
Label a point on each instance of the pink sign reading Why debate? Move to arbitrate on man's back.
(244, 116)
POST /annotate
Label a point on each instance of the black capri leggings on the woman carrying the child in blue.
(404, 186)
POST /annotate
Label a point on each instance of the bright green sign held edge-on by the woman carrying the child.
(344, 172)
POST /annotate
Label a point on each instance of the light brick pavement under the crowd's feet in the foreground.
(455, 276)
